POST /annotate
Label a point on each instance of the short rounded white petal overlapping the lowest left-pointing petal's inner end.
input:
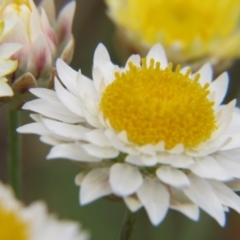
(100, 152)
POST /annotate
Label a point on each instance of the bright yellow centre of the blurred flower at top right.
(177, 20)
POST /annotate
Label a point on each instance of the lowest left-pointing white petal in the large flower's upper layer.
(71, 151)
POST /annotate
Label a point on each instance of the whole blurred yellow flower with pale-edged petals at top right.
(189, 30)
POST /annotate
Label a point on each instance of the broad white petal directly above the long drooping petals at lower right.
(207, 167)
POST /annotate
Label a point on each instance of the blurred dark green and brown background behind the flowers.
(53, 180)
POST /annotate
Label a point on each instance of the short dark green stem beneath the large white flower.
(127, 227)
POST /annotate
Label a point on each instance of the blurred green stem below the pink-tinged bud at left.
(14, 151)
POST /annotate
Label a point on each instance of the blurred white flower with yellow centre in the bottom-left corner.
(33, 222)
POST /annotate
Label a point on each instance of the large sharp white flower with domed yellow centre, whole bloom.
(158, 138)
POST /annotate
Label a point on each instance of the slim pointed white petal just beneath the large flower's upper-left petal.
(73, 103)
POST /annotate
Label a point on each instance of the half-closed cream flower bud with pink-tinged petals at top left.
(43, 36)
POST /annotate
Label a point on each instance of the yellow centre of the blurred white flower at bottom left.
(12, 226)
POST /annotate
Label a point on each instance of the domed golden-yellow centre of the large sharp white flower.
(153, 105)
